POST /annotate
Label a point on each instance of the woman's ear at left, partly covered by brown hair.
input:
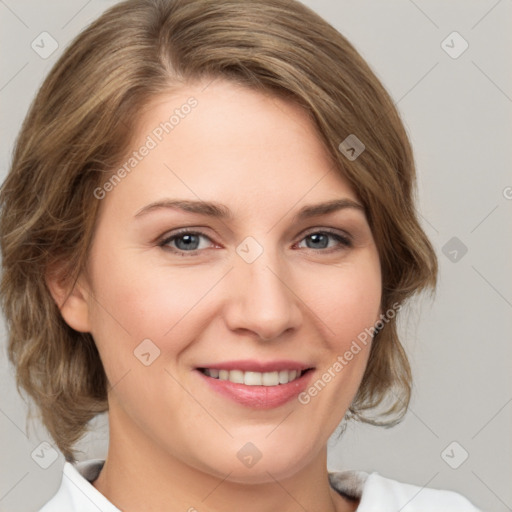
(71, 299)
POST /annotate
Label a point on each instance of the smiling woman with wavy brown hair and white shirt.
(208, 230)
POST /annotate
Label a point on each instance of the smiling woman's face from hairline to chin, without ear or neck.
(251, 295)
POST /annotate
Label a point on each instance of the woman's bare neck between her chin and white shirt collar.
(149, 478)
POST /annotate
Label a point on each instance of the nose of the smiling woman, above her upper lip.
(262, 298)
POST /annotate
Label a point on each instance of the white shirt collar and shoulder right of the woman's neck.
(377, 493)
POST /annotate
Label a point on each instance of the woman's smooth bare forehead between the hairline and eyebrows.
(228, 143)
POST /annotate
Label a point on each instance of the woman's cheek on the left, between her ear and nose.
(135, 300)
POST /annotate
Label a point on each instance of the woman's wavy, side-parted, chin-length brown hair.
(78, 129)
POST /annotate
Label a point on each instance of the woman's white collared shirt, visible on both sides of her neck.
(377, 493)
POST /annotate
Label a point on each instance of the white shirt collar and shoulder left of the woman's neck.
(76, 492)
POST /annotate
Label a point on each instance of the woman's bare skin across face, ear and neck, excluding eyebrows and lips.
(173, 441)
